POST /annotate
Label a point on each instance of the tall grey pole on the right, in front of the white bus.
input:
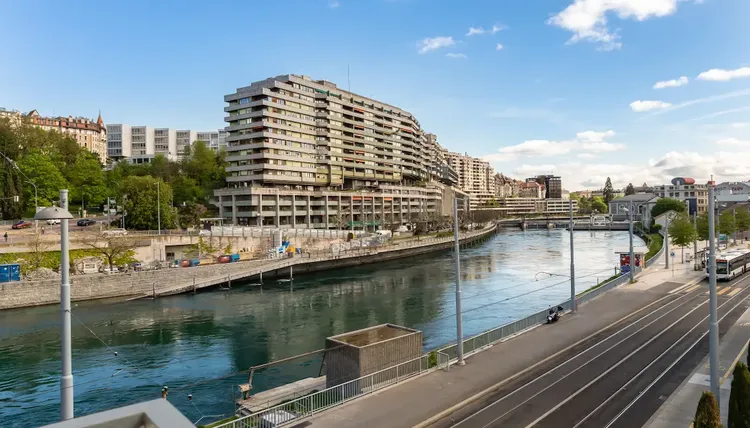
(713, 325)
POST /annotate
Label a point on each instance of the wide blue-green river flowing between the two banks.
(195, 343)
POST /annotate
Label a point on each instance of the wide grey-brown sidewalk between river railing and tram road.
(412, 402)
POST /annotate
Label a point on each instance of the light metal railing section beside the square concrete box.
(294, 410)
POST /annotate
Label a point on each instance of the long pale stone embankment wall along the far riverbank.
(180, 280)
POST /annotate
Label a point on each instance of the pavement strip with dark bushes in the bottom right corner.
(678, 411)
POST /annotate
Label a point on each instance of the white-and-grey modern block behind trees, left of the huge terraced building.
(140, 144)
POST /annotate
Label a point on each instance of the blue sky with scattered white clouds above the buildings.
(570, 91)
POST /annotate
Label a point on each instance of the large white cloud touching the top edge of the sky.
(587, 19)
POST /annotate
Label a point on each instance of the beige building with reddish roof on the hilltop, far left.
(89, 134)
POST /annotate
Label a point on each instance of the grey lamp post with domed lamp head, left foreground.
(66, 380)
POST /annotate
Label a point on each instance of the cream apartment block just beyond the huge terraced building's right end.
(475, 177)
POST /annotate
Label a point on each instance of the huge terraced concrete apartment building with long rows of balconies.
(304, 153)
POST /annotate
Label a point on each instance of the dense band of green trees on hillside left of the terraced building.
(53, 161)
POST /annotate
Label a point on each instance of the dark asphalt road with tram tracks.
(617, 378)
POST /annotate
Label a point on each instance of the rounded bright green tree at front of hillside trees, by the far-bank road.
(141, 203)
